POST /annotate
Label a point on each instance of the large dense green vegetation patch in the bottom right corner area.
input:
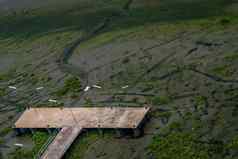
(180, 146)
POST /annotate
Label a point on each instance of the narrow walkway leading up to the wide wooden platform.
(61, 143)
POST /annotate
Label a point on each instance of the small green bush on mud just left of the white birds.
(72, 85)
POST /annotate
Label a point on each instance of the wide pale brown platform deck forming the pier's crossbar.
(100, 117)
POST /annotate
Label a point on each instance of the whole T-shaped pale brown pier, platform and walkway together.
(74, 120)
